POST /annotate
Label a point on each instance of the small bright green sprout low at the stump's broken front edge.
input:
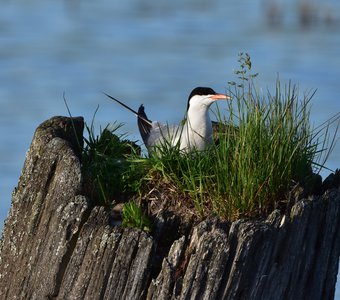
(133, 216)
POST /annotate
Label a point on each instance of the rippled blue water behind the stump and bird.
(151, 53)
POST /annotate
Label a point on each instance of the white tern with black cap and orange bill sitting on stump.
(195, 133)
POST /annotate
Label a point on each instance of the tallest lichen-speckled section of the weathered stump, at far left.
(45, 216)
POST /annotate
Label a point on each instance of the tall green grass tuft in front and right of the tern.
(269, 148)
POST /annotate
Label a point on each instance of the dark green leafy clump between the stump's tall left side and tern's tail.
(109, 175)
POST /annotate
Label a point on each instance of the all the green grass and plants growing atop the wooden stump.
(266, 145)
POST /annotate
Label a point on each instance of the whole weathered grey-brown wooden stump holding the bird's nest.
(56, 245)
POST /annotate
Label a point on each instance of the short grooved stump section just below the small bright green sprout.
(108, 262)
